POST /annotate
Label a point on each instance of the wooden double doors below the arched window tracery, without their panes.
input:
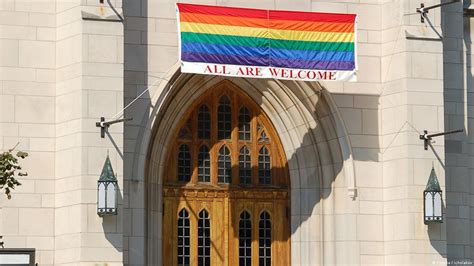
(224, 214)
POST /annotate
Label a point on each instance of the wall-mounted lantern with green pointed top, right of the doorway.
(433, 200)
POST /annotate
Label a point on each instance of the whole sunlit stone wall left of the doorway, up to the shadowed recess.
(58, 75)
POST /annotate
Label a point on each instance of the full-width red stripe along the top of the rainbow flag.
(264, 14)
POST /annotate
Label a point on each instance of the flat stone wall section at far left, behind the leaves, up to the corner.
(27, 116)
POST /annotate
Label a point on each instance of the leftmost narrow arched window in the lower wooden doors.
(183, 238)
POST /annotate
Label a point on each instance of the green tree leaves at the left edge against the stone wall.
(9, 169)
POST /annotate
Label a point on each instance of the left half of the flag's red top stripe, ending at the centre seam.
(223, 11)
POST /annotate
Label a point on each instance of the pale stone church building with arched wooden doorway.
(351, 166)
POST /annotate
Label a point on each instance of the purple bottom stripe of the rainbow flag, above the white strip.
(263, 61)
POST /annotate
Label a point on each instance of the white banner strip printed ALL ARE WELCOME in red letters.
(267, 72)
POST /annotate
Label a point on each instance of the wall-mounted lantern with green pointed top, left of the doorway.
(107, 191)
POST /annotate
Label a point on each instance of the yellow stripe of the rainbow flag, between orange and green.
(293, 35)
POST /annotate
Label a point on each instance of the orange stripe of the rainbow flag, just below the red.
(262, 23)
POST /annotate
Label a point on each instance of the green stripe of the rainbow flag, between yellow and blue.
(263, 42)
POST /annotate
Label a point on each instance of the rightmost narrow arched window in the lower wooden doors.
(265, 240)
